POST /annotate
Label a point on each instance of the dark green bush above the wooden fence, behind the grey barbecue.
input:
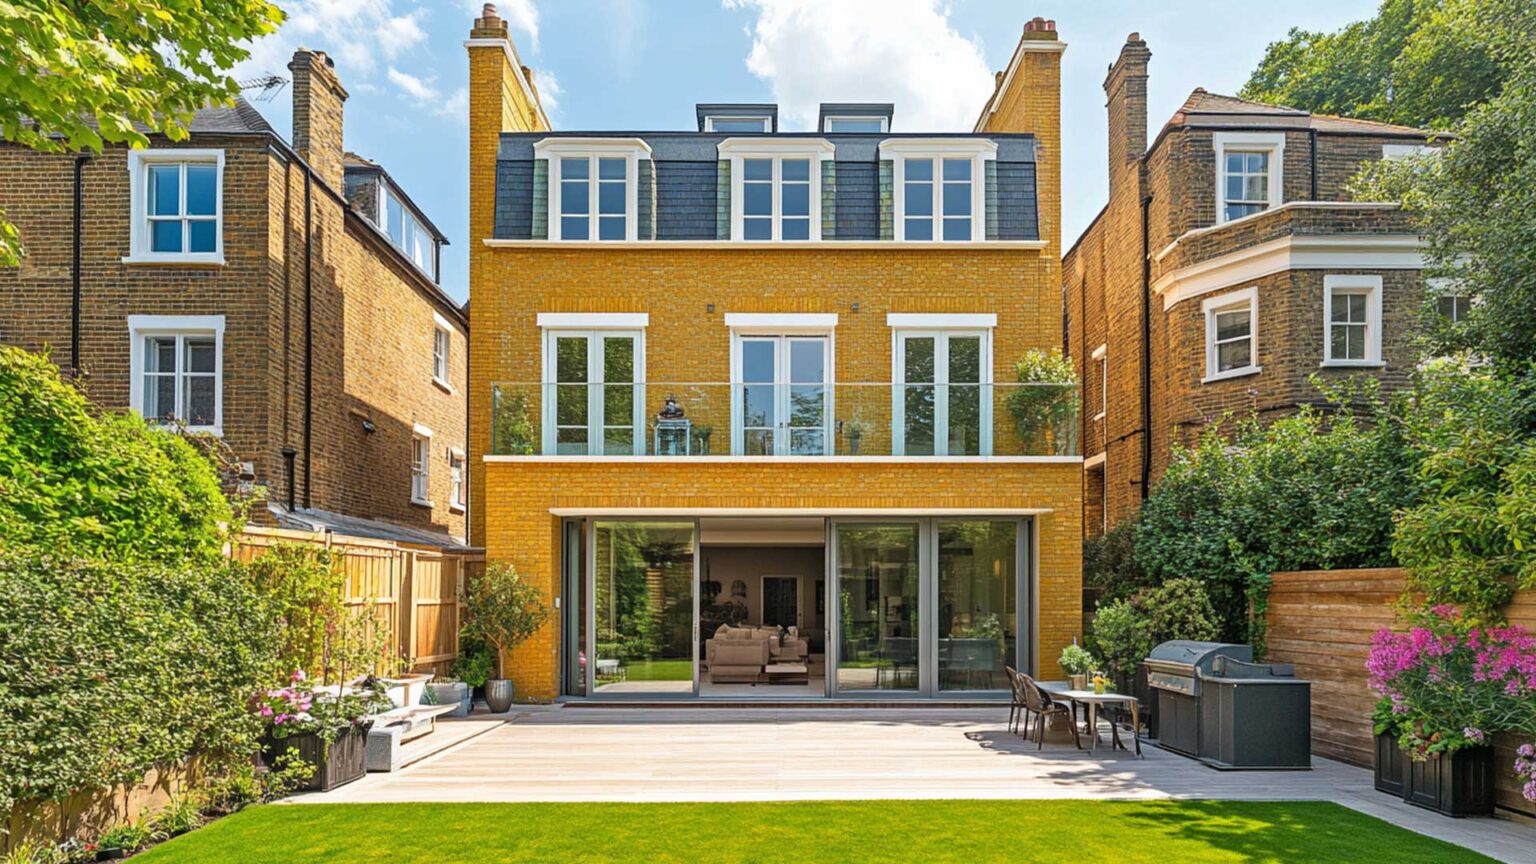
(1316, 491)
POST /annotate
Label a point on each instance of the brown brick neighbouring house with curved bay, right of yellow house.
(1228, 268)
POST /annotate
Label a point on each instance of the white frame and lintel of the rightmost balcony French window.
(941, 328)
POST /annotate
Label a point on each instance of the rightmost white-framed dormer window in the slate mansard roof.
(939, 190)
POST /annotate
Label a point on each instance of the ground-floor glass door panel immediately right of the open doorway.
(878, 597)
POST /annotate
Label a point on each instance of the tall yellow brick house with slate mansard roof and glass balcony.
(746, 400)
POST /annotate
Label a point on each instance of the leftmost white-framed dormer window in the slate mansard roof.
(592, 188)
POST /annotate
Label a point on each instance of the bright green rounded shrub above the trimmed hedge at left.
(98, 485)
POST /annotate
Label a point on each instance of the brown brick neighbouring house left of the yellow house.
(279, 296)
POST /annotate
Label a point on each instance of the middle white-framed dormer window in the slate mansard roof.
(776, 188)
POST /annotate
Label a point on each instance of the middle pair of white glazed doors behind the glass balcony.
(783, 397)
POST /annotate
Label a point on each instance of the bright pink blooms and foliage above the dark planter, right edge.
(1451, 682)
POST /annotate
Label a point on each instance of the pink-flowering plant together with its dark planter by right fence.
(1446, 686)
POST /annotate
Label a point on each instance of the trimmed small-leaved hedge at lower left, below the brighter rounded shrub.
(114, 668)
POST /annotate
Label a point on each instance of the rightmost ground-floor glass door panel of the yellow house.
(978, 603)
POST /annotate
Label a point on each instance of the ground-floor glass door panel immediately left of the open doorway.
(644, 608)
